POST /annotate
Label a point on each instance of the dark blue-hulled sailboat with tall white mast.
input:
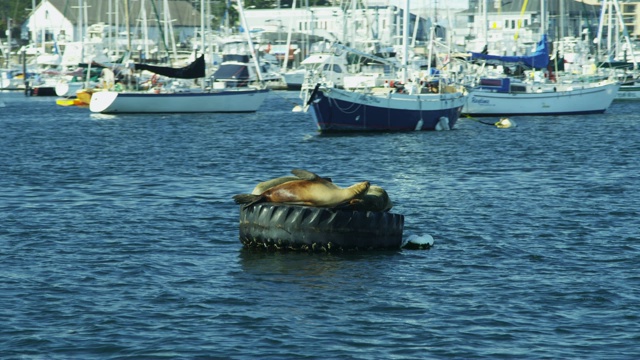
(423, 104)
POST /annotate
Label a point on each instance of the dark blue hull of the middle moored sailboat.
(337, 110)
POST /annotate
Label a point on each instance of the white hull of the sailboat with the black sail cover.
(244, 100)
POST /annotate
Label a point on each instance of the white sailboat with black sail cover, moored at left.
(214, 98)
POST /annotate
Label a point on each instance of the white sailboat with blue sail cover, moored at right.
(539, 91)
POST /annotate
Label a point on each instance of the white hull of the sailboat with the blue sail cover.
(577, 99)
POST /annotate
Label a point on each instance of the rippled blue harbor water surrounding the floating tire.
(119, 238)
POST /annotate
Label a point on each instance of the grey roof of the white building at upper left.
(181, 12)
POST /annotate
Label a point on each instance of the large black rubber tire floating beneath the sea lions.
(291, 227)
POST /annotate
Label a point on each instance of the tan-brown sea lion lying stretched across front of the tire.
(310, 189)
